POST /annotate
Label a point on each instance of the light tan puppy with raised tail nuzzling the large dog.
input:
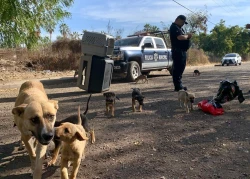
(73, 137)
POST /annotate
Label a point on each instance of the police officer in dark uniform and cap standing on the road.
(180, 42)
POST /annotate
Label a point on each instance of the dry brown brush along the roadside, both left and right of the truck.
(64, 54)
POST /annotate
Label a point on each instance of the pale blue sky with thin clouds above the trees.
(131, 15)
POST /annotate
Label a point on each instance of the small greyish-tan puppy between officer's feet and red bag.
(185, 98)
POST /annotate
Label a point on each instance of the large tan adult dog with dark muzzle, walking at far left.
(35, 115)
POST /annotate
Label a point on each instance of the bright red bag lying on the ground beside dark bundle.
(211, 107)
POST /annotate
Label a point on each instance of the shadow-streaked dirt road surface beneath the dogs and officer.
(160, 142)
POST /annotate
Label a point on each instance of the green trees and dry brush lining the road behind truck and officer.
(24, 42)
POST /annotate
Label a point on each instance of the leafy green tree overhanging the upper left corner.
(20, 19)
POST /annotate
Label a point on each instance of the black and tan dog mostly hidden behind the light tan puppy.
(74, 119)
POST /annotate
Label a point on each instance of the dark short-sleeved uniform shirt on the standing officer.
(176, 44)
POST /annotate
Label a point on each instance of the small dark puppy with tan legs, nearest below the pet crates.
(110, 102)
